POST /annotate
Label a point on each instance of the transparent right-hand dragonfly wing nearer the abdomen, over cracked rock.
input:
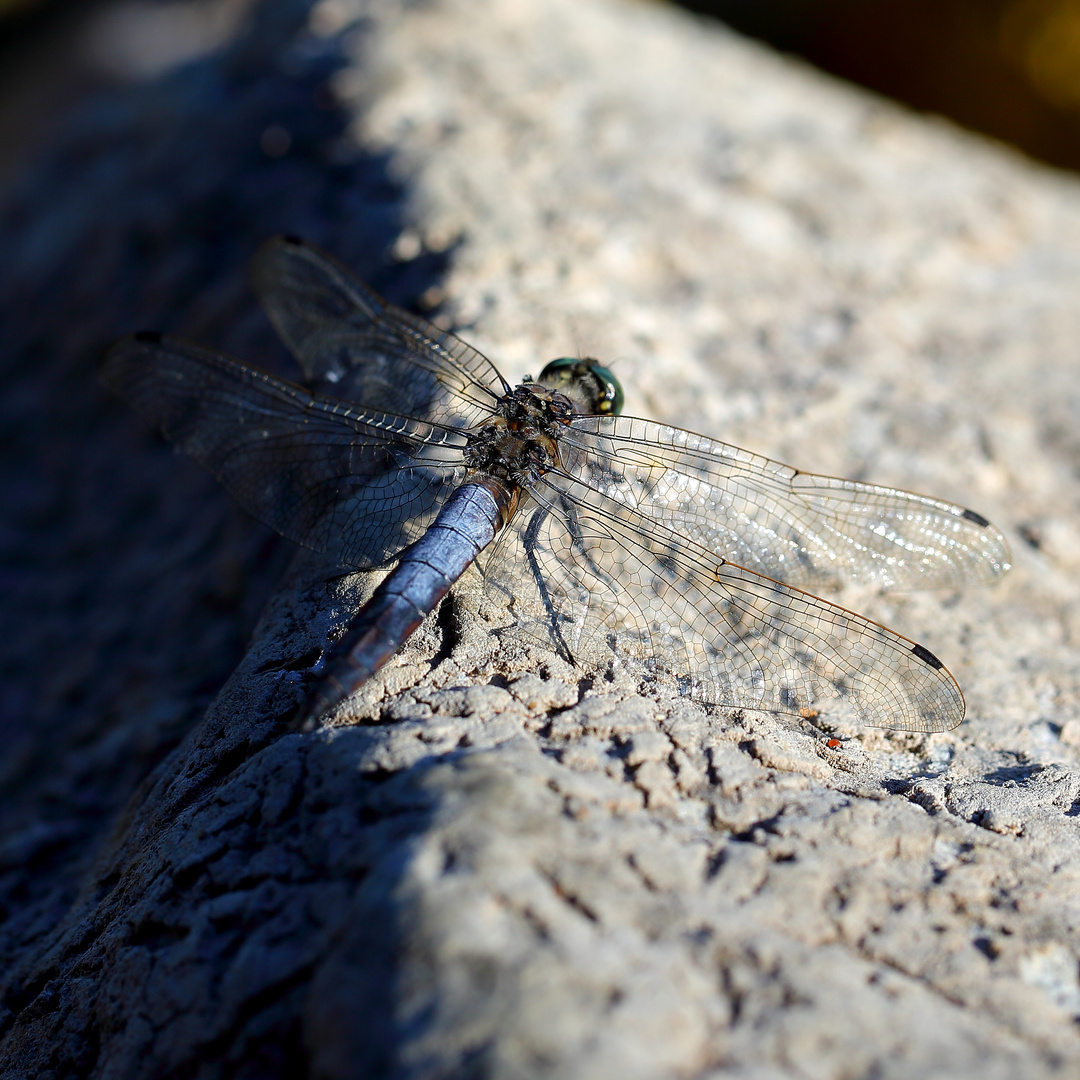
(597, 577)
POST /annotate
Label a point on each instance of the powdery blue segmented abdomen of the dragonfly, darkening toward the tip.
(469, 521)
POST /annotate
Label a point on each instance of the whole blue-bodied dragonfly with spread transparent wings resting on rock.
(613, 539)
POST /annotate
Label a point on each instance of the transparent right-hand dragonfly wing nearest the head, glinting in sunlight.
(806, 531)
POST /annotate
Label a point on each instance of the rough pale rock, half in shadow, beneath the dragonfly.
(490, 865)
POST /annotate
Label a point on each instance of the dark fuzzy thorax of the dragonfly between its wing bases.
(521, 442)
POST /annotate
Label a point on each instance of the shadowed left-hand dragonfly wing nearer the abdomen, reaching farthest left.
(359, 484)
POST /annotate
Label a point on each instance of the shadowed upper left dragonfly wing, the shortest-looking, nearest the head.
(357, 346)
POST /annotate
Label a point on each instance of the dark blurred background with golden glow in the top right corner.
(1007, 69)
